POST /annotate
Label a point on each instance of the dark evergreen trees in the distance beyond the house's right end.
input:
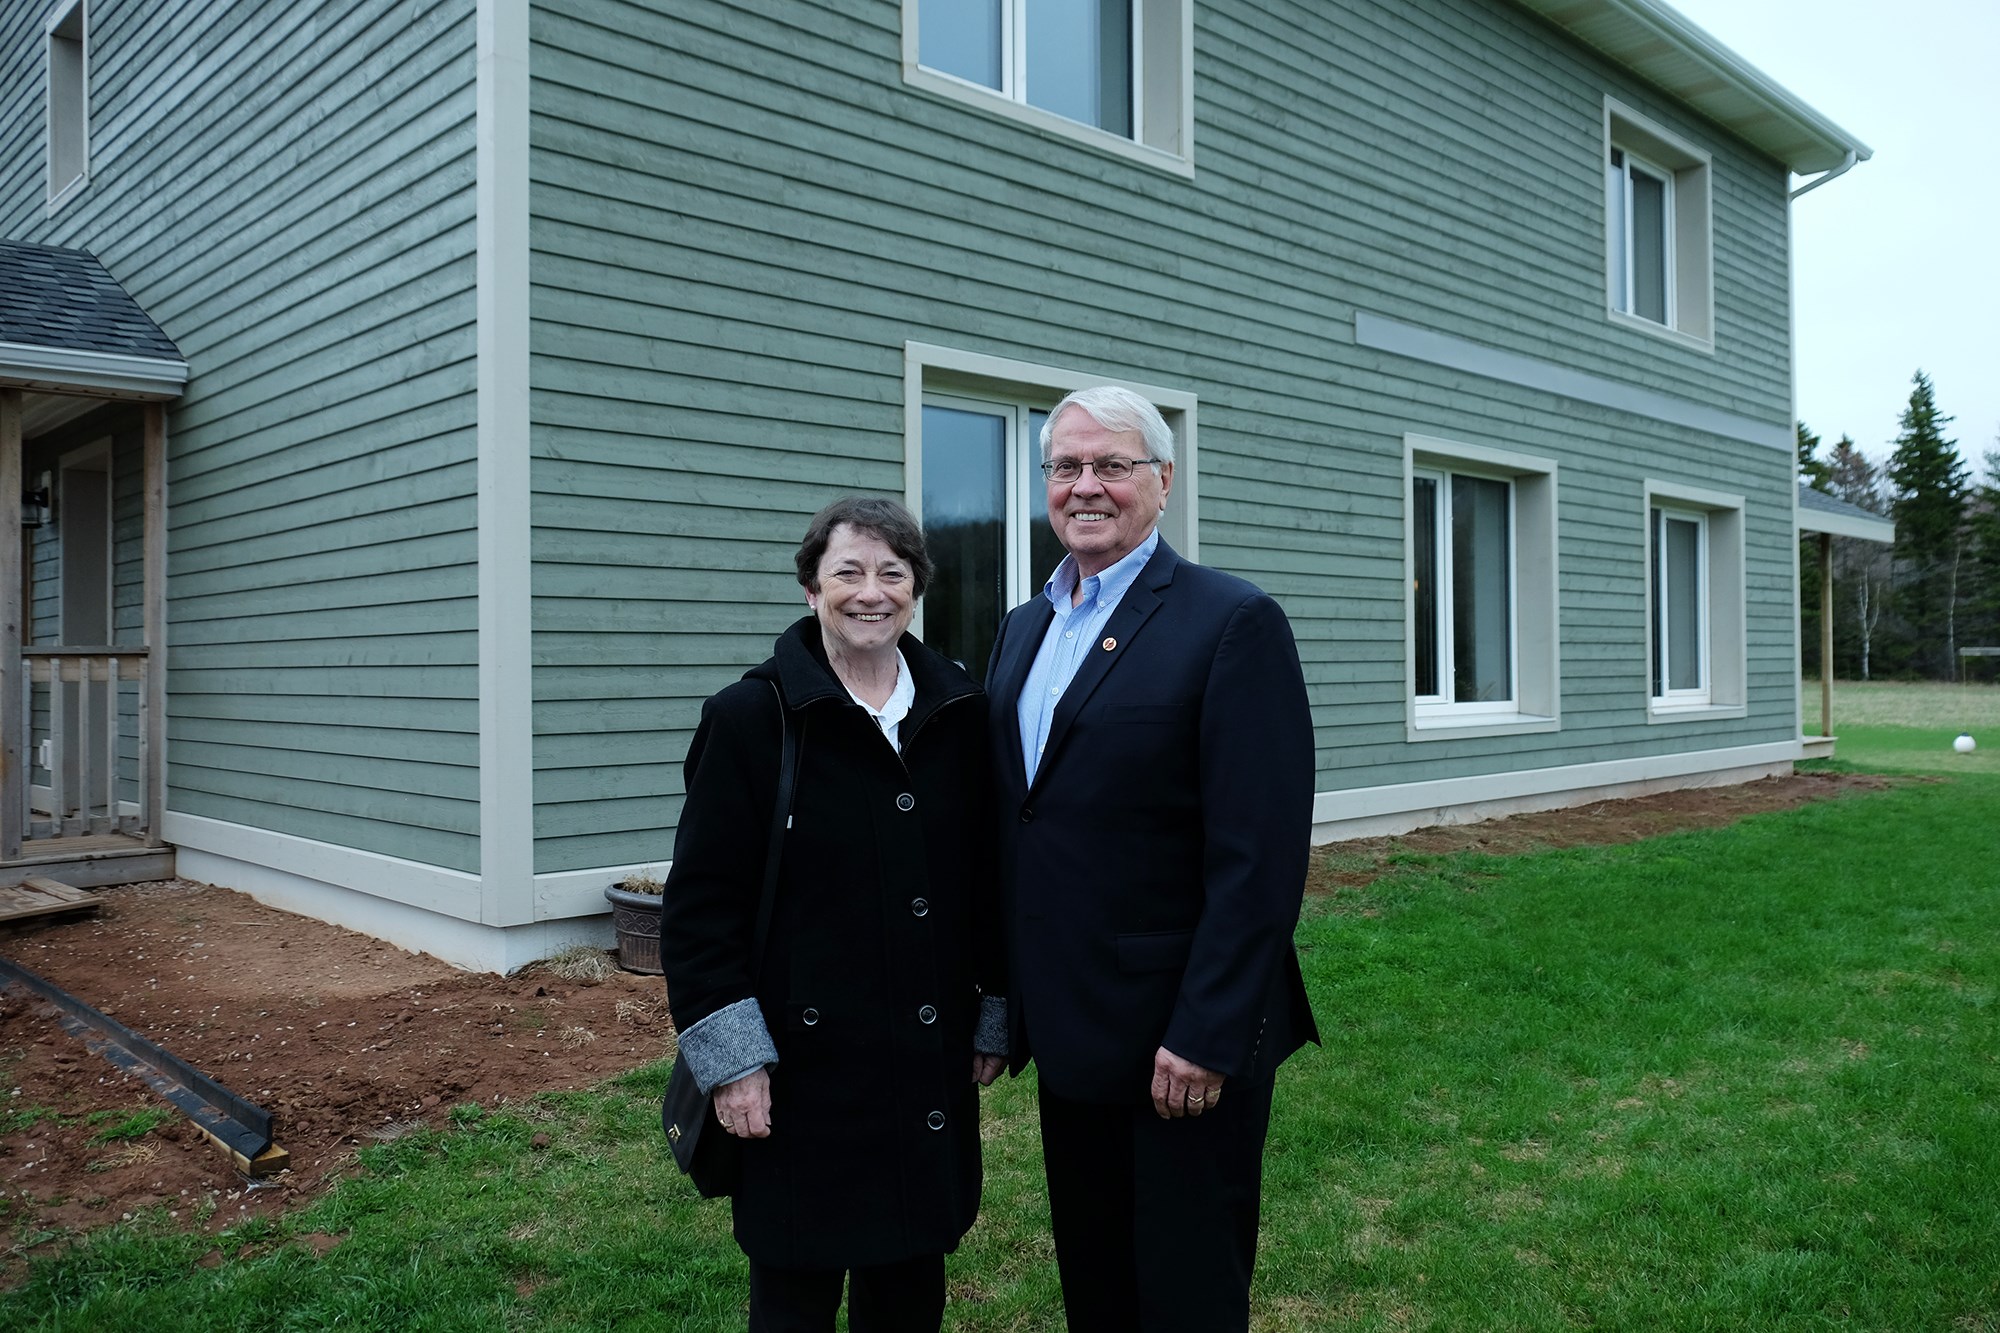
(1907, 609)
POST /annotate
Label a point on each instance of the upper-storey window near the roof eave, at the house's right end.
(1659, 263)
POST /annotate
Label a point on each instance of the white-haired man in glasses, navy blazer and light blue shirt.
(1155, 774)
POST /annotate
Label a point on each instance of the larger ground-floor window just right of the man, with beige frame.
(1483, 589)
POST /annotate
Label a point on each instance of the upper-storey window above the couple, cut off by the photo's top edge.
(1109, 71)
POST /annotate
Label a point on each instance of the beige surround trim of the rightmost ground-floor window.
(1725, 627)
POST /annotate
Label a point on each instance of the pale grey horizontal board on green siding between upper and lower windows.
(1455, 353)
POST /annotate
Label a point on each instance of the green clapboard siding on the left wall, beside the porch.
(287, 189)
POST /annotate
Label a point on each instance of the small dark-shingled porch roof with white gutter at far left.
(67, 325)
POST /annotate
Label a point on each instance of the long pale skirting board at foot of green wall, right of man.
(1431, 802)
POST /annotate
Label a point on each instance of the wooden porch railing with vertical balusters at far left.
(93, 740)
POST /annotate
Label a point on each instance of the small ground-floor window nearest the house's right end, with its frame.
(1695, 603)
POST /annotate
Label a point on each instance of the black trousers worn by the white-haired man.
(1157, 1220)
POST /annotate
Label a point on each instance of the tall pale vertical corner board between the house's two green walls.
(505, 501)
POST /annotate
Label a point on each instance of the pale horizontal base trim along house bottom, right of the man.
(1377, 812)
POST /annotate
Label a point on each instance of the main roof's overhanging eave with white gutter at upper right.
(1665, 49)
